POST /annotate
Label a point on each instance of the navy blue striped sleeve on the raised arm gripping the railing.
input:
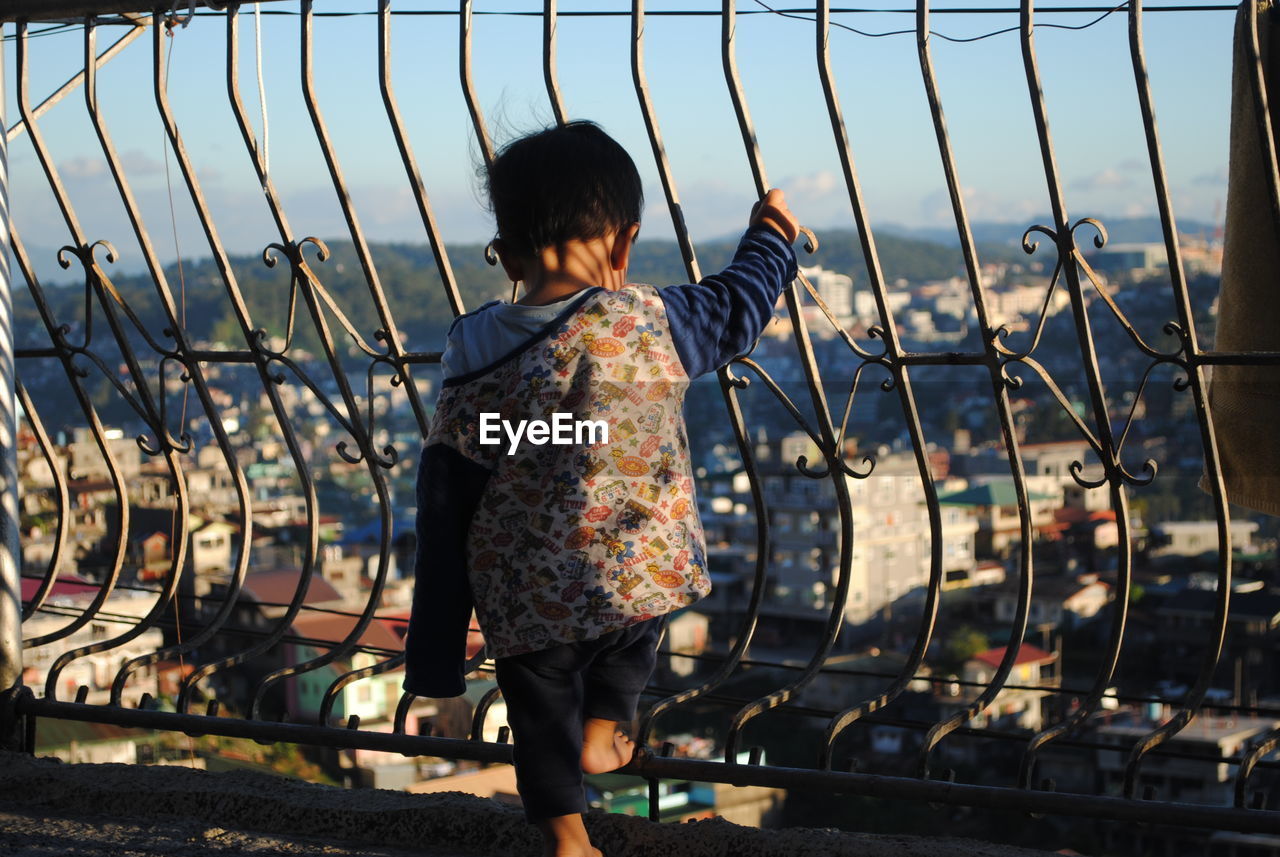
(721, 318)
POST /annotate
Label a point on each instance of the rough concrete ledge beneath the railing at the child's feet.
(429, 824)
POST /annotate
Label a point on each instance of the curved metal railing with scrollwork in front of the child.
(135, 356)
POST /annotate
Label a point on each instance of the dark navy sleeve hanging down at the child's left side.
(436, 647)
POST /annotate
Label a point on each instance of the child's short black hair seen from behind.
(568, 182)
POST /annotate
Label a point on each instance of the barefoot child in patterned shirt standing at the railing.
(573, 549)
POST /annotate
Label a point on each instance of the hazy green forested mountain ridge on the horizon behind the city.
(418, 303)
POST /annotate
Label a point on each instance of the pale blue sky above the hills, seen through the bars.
(1087, 80)
